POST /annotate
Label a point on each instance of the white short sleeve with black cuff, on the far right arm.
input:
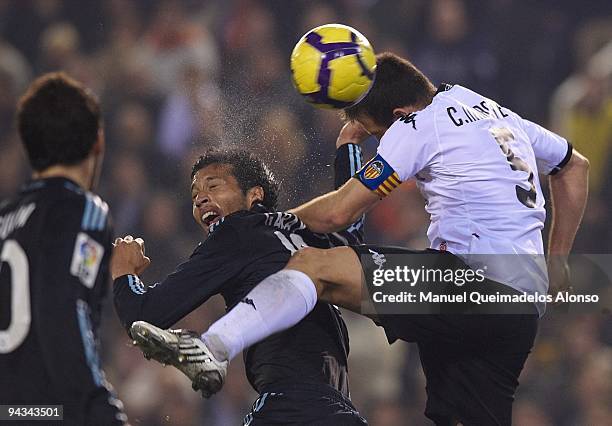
(552, 152)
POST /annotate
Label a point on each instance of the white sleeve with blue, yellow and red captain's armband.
(407, 147)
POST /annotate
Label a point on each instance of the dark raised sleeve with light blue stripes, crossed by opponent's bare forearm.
(346, 164)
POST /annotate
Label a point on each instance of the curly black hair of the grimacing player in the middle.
(248, 169)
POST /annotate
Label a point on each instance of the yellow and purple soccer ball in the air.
(333, 66)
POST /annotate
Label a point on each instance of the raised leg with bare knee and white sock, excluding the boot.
(283, 299)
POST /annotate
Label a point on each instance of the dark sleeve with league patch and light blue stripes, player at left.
(76, 247)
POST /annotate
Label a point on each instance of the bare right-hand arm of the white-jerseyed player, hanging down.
(569, 192)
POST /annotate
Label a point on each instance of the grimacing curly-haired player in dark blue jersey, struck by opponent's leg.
(301, 374)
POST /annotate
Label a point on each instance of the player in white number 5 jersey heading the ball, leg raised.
(477, 165)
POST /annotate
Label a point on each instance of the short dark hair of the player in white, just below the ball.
(398, 83)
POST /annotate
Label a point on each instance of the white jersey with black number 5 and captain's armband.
(477, 165)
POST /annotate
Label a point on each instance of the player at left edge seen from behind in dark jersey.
(55, 246)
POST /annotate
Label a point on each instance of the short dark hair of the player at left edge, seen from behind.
(58, 120)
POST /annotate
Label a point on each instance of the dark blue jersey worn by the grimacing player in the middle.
(241, 250)
